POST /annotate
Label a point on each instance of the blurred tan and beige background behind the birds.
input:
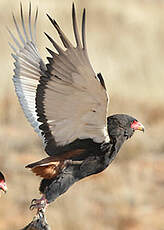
(126, 44)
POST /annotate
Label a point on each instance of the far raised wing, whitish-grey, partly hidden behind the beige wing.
(28, 68)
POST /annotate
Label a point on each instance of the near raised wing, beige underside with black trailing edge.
(72, 101)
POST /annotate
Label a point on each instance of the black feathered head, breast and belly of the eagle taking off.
(119, 131)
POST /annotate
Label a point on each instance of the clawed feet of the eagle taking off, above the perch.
(39, 204)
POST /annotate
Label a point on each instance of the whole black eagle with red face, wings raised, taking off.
(66, 103)
